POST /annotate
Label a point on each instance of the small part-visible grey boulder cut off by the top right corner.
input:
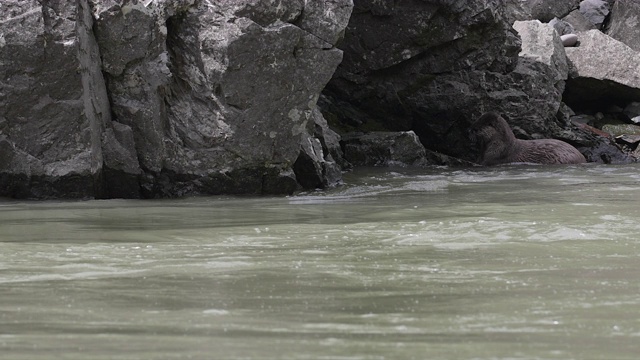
(624, 23)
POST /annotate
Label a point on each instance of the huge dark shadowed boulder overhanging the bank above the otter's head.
(420, 65)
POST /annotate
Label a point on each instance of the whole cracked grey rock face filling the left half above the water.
(105, 98)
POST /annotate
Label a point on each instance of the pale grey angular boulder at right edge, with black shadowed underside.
(602, 71)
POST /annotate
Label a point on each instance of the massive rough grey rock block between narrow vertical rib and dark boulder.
(225, 105)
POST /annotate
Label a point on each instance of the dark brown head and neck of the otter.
(493, 139)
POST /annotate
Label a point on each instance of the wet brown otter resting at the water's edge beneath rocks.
(498, 145)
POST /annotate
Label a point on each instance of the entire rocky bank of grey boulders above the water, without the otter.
(168, 98)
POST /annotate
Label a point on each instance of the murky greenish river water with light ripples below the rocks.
(512, 262)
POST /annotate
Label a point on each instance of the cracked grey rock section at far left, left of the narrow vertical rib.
(48, 146)
